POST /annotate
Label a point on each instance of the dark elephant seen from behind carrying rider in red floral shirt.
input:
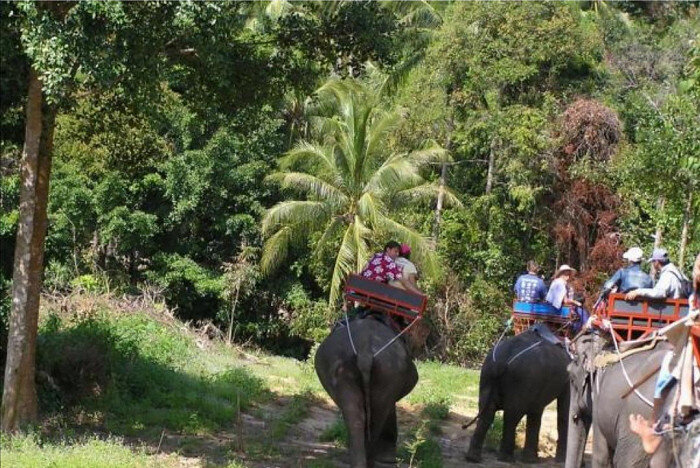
(366, 386)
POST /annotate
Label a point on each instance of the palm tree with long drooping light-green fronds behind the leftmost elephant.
(351, 181)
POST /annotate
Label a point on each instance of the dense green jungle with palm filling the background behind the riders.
(196, 152)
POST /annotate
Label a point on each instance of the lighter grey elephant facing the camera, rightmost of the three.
(604, 399)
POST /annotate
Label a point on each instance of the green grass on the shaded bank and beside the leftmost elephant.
(147, 375)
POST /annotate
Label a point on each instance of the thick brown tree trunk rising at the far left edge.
(19, 400)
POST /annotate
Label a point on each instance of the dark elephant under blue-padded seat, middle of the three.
(522, 375)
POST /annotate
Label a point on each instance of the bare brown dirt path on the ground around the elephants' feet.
(249, 442)
